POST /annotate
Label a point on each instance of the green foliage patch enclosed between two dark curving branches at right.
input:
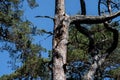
(102, 37)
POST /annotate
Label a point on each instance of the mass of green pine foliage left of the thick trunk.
(18, 32)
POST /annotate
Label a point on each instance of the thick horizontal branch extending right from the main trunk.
(93, 19)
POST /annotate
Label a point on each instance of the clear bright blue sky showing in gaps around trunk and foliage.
(46, 7)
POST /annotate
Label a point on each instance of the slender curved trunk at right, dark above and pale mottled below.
(99, 59)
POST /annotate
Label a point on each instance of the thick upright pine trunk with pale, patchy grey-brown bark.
(60, 40)
